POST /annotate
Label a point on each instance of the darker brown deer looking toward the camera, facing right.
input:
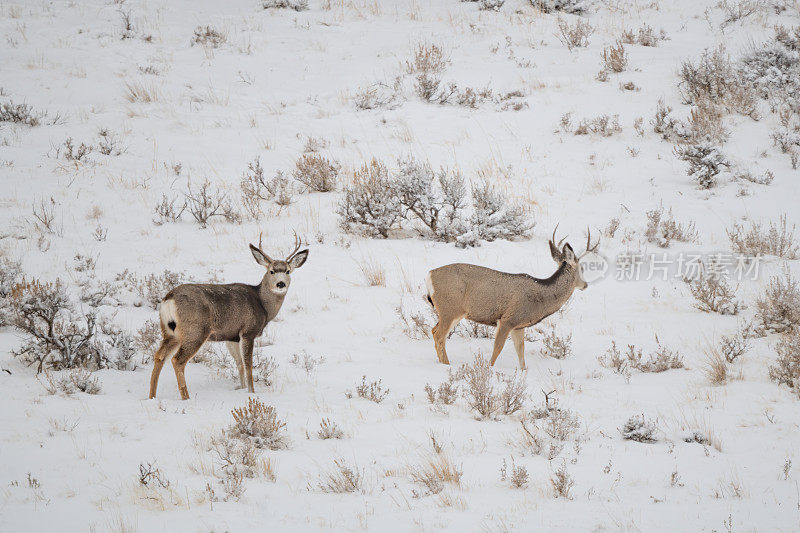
(236, 313)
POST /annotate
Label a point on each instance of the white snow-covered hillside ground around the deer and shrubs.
(71, 462)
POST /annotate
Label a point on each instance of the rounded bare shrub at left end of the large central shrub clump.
(370, 203)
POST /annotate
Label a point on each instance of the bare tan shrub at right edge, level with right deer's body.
(778, 307)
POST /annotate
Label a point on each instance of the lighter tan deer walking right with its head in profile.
(511, 302)
